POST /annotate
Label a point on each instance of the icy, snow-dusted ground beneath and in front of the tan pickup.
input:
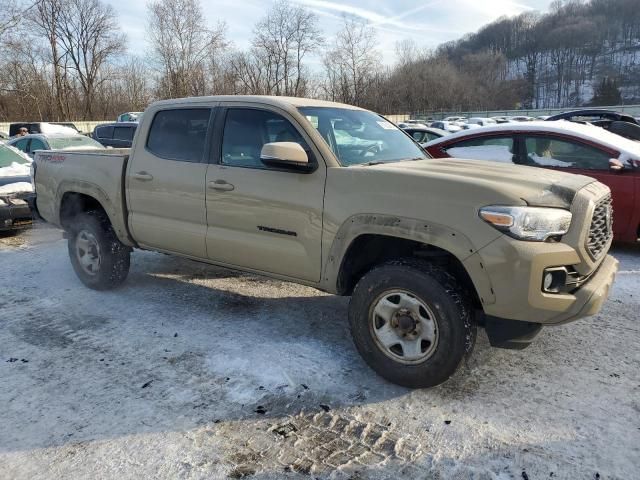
(192, 371)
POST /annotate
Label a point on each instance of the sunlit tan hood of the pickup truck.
(536, 186)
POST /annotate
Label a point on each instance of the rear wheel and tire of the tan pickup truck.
(98, 257)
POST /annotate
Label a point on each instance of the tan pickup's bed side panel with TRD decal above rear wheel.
(99, 174)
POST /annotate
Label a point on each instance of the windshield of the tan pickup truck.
(359, 137)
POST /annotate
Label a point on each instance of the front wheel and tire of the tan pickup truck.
(411, 322)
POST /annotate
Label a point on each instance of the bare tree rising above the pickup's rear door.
(182, 42)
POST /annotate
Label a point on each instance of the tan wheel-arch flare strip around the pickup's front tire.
(441, 236)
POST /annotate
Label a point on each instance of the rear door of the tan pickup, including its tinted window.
(166, 181)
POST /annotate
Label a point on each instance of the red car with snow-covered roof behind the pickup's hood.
(566, 146)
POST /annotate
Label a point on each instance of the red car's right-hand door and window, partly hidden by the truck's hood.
(576, 156)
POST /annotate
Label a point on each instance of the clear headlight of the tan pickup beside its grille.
(535, 224)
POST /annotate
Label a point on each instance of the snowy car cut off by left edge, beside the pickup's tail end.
(15, 190)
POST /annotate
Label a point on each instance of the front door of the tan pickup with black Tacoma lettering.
(259, 217)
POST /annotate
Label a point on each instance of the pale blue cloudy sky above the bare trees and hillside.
(428, 22)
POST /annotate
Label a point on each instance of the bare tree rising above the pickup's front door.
(282, 40)
